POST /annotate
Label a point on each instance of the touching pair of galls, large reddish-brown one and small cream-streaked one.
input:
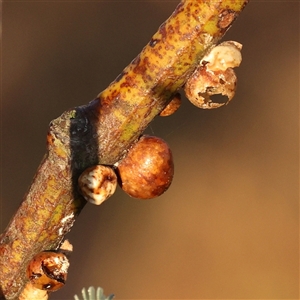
(144, 173)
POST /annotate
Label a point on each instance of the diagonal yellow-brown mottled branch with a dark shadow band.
(102, 131)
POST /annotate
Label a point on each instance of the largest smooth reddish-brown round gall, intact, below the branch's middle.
(147, 170)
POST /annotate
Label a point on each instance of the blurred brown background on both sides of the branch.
(228, 225)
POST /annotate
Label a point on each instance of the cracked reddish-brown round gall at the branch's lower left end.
(48, 270)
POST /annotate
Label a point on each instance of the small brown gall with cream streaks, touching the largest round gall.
(97, 183)
